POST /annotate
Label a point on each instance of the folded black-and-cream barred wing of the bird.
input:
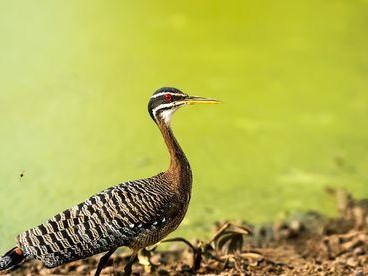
(106, 220)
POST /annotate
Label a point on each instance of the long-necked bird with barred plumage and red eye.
(134, 214)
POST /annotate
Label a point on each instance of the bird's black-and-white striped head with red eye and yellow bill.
(165, 101)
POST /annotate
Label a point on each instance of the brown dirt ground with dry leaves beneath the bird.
(304, 244)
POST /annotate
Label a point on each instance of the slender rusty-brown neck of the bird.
(179, 165)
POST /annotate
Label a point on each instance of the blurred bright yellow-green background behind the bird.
(76, 76)
